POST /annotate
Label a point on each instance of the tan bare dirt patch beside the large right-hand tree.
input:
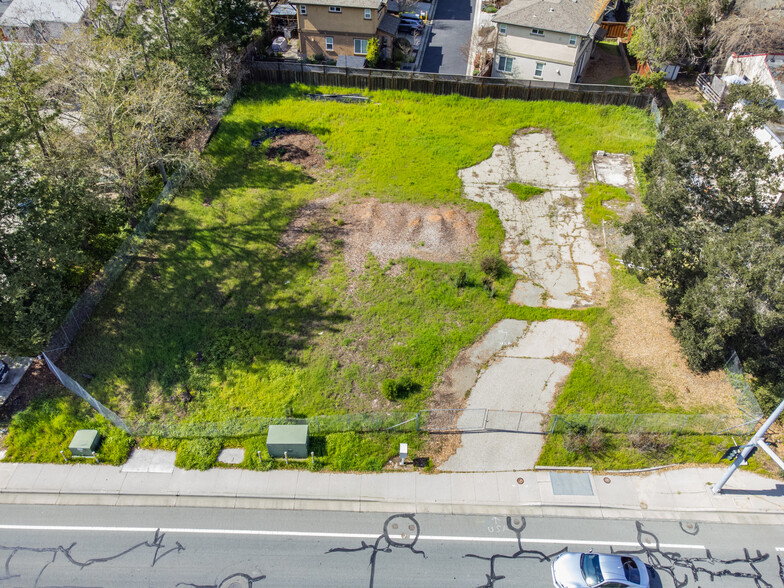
(643, 339)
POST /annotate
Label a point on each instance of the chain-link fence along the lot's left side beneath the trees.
(83, 308)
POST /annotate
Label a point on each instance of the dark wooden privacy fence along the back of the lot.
(281, 72)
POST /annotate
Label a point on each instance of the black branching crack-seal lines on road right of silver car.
(673, 563)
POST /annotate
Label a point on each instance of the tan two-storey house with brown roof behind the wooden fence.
(335, 28)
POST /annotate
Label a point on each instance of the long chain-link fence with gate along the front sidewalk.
(458, 421)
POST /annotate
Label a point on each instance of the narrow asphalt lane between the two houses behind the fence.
(451, 30)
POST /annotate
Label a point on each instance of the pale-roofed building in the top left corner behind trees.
(38, 20)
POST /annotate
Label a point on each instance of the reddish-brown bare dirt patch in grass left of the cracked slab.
(391, 230)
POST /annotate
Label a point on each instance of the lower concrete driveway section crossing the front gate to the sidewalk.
(523, 377)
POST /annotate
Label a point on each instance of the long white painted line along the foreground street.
(325, 535)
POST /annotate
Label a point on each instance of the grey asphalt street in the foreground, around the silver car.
(128, 547)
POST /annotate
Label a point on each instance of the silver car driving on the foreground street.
(589, 570)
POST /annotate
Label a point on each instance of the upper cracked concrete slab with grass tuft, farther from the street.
(547, 241)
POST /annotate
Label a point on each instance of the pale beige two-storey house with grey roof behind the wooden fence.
(549, 40)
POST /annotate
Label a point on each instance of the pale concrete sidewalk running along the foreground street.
(680, 494)
